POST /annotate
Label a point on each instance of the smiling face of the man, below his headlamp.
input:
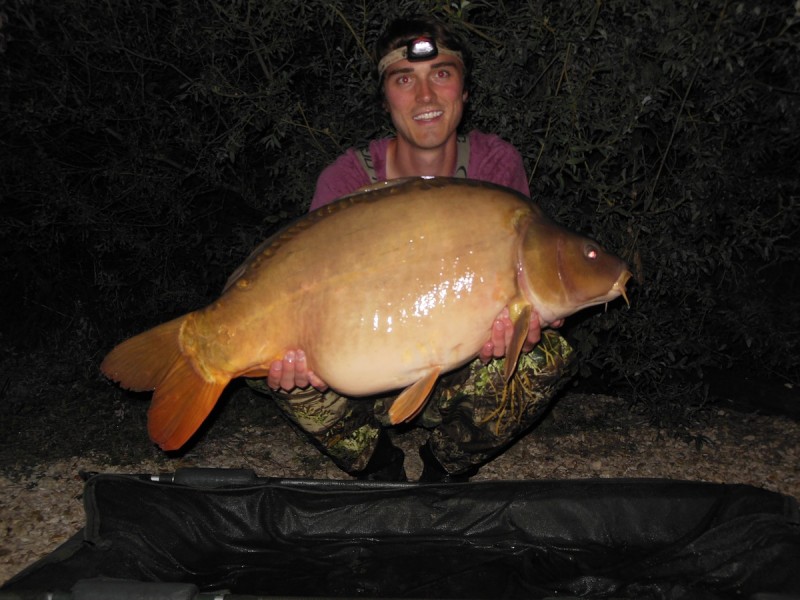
(425, 99)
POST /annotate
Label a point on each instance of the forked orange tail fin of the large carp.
(153, 361)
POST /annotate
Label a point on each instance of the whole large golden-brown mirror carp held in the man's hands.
(410, 274)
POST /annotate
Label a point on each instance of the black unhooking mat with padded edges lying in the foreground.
(500, 539)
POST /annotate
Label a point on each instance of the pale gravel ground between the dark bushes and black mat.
(584, 436)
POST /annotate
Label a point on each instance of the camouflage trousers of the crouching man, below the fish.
(472, 414)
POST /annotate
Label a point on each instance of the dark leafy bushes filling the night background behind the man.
(148, 146)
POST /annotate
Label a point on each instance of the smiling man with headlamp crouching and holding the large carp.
(423, 73)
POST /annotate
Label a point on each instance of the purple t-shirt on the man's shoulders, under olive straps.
(490, 159)
